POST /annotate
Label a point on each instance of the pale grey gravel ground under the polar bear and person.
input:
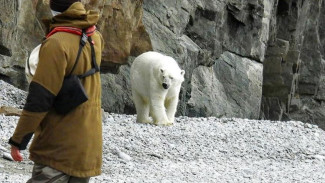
(192, 150)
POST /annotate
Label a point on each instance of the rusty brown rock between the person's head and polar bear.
(124, 33)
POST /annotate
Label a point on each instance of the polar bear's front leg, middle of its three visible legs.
(157, 110)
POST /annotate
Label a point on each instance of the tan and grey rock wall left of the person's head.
(20, 31)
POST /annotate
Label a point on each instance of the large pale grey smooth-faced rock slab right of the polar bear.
(237, 74)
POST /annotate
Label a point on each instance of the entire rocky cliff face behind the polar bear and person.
(249, 59)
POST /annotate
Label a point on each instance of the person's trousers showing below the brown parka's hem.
(45, 174)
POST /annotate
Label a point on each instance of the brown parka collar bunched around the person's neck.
(75, 16)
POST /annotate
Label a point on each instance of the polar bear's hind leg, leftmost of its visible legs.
(142, 108)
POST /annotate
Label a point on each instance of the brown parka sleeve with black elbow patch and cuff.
(45, 85)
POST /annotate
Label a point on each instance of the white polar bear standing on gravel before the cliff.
(156, 82)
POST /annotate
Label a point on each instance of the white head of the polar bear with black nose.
(171, 78)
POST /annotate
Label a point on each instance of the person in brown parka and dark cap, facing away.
(65, 148)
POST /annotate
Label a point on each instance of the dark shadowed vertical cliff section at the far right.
(293, 85)
